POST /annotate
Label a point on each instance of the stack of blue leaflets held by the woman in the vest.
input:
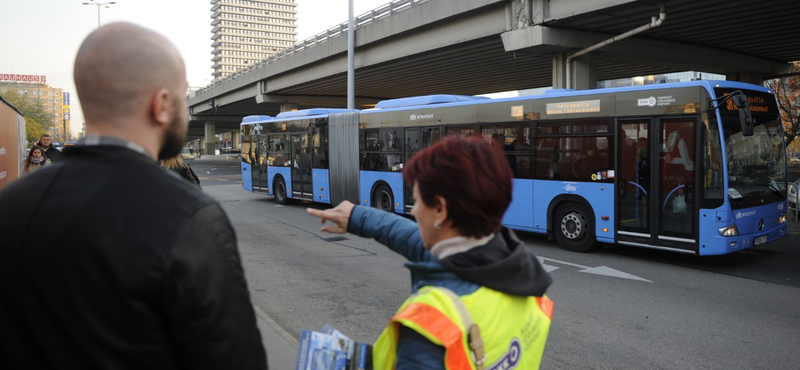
(329, 349)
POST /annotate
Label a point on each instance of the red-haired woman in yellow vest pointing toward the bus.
(478, 297)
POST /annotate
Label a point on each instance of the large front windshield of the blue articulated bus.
(756, 164)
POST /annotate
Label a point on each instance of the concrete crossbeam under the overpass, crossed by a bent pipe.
(638, 51)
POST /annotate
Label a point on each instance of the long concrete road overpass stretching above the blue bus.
(471, 47)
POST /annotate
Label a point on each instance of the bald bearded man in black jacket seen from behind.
(109, 261)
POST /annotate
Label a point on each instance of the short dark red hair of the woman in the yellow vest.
(472, 176)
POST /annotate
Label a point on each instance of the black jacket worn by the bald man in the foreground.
(108, 261)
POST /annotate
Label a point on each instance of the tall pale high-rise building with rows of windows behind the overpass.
(246, 31)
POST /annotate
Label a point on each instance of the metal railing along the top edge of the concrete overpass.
(374, 15)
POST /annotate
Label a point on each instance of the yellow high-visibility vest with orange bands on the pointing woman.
(513, 329)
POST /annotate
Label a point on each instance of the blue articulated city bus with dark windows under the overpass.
(695, 167)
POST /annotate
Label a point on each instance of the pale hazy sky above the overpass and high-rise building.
(41, 37)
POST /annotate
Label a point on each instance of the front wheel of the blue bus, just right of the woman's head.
(572, 228)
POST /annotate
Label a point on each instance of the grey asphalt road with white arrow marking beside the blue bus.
(619, 308)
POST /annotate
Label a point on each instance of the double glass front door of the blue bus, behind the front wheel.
(656, 183)
